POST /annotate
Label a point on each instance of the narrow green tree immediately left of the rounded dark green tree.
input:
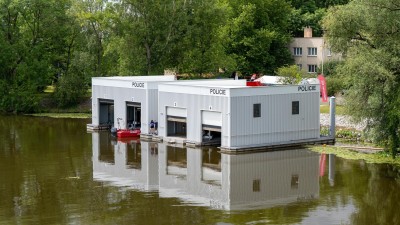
(203, 45)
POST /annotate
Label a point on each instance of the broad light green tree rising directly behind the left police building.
(147, 33)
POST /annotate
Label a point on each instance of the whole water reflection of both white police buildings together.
(207, 177)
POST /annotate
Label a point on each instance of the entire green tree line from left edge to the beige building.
(65, 43)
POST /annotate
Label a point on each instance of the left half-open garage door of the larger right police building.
(176, 122)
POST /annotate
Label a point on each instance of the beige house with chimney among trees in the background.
(310, 53)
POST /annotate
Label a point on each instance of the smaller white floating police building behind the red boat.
(125, 102)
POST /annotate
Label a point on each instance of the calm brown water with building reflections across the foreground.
(53, 172)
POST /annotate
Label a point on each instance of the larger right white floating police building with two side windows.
(239, 116)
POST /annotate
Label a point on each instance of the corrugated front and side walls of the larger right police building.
(239, 128)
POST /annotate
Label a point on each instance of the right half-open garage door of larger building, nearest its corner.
(211, 127)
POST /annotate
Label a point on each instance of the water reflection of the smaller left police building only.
(135, 164)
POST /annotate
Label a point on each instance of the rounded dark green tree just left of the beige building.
(256, 36)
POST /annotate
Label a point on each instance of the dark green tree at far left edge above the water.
(32, 37)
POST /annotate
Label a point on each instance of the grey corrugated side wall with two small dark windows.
(276, 124)
